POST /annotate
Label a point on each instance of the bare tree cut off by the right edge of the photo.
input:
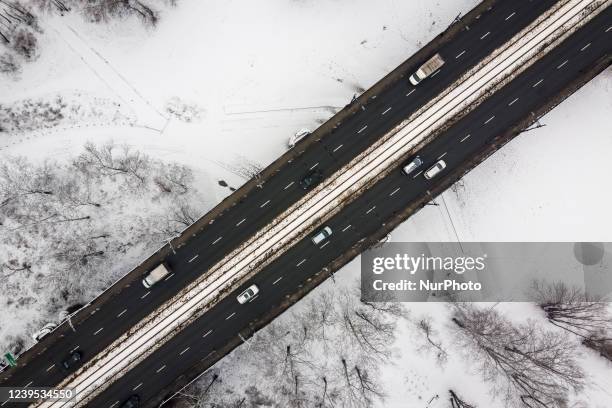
(573, 310)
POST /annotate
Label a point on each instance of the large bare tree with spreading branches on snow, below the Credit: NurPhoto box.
(529, 366)
